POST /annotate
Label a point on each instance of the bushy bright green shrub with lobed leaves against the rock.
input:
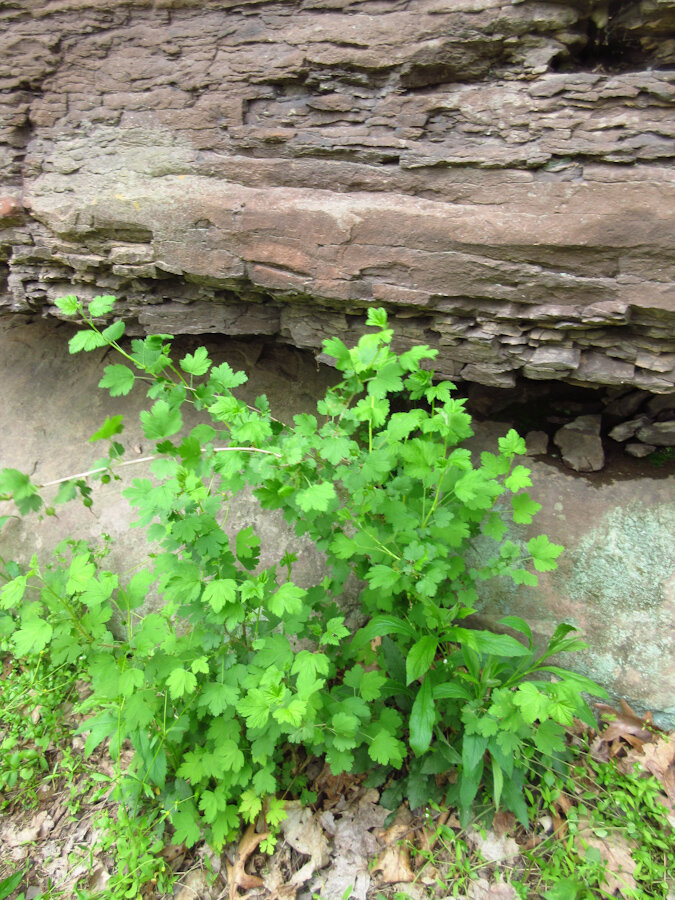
(233, 664)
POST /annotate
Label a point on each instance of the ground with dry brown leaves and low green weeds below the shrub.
(605, 829)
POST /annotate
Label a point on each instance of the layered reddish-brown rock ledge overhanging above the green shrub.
(497, 173)
